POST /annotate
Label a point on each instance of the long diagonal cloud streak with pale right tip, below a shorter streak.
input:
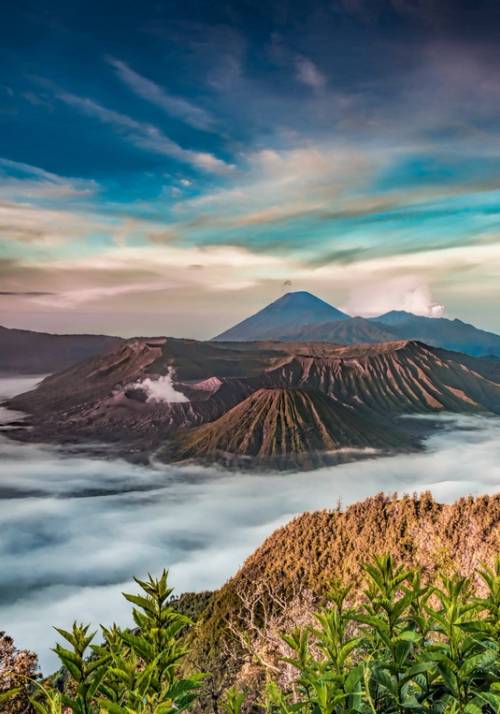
(146, 136)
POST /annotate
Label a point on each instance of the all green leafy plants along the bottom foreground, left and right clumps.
(394, 643)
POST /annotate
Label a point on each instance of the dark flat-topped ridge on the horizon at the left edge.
(27, 352)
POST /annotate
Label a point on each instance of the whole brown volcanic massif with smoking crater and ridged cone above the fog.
(284, 404)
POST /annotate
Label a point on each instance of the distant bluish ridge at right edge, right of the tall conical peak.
(441, 332)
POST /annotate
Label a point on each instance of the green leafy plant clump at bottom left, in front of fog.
(134, 671)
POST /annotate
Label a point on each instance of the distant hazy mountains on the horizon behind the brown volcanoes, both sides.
(295, 317)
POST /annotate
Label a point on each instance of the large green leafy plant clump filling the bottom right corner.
(408, 648)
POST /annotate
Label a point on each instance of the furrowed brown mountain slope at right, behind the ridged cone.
(394, 378)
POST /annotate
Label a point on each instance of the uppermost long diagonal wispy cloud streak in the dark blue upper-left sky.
(150, 91)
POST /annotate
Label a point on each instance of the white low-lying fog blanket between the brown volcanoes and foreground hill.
(76, 529)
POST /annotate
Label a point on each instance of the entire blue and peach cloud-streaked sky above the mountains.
(170, 168)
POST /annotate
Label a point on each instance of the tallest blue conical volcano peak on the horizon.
(297, 308)
